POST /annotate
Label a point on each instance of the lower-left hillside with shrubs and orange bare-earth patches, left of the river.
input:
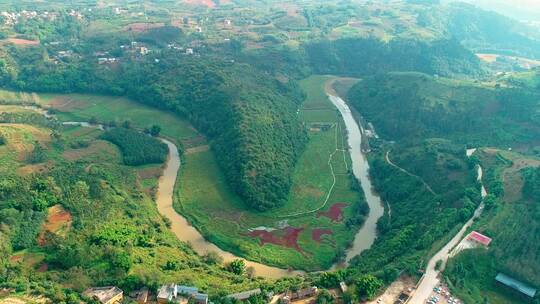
(73, 218)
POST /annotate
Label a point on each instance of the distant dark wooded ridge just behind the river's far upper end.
(358, 57)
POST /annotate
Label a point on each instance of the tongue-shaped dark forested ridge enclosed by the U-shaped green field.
(249, 116)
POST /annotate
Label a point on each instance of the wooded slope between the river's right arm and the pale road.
(417, 221)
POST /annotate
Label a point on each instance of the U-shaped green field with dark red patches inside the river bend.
(315, 225)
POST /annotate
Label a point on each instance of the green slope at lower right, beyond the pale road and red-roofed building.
(512, 224)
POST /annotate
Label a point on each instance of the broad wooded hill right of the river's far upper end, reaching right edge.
(412, 106)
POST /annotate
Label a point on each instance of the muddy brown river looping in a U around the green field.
(187, 233)
